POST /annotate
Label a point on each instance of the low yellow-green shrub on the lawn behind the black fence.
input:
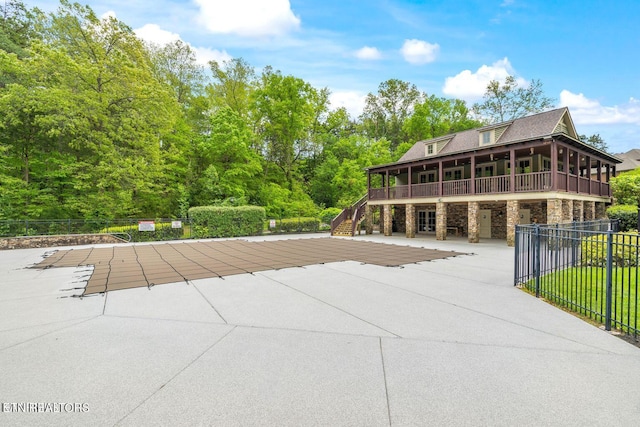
(625, 250)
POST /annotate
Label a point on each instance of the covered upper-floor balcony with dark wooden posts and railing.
(544, 166)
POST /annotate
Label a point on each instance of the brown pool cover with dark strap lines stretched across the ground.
(123, 267)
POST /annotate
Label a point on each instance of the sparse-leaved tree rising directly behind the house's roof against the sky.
(509, 100)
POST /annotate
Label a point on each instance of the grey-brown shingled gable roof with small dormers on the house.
(521, 129)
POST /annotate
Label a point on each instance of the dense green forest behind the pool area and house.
(96, 123)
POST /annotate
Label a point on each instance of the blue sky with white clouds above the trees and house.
(586, 53)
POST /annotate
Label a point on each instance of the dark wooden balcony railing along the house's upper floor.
(527, 182)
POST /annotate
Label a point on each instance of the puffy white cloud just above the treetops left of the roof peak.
(472, 86)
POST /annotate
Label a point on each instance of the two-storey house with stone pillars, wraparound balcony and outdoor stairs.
(480, 183)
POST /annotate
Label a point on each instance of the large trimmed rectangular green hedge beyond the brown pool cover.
(222, 221)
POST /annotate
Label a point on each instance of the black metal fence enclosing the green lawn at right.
(588, 267)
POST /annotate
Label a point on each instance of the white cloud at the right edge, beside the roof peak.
(590, 111)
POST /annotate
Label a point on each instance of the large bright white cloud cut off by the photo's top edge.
(249, 18)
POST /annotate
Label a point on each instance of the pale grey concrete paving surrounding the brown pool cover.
(446, 342)
